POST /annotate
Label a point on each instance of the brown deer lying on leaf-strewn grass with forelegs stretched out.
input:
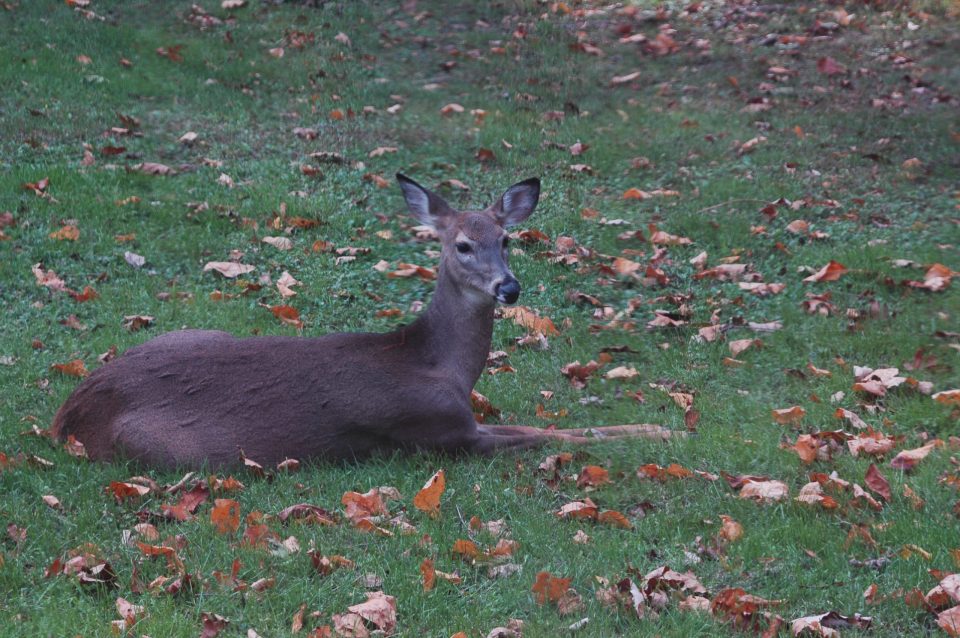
(203, 398)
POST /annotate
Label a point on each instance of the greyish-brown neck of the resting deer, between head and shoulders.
(454, 332)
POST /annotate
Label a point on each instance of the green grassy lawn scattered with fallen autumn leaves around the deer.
(774, 138)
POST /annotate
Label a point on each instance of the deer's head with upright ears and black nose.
(475, 243)
